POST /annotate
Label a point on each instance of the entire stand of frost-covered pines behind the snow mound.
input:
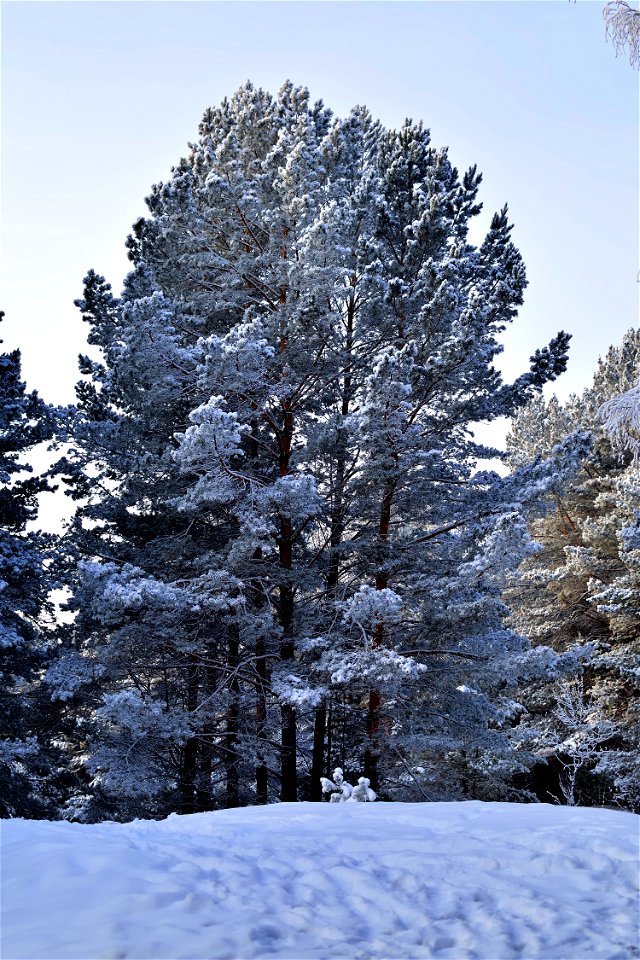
(289, 551)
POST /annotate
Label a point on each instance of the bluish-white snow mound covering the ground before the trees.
(450, 880)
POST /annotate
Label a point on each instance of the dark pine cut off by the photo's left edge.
(26, 787)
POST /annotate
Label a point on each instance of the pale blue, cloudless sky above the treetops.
(100, 99)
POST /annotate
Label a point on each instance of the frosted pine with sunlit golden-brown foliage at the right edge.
(582, 590)
